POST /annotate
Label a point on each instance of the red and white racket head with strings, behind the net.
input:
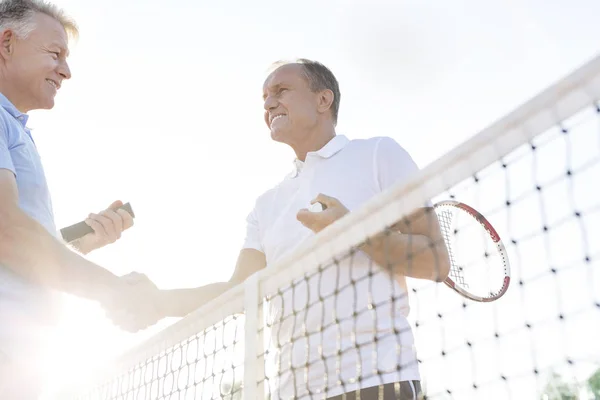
(479, 264)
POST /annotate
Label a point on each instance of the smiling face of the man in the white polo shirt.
(291, 107)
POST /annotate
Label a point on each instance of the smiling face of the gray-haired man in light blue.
(34, 67)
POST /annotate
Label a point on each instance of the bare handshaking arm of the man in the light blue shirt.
(32, 252)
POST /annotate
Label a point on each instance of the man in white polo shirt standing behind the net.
(342, 331)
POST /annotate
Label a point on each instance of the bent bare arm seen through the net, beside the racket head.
(413, 248)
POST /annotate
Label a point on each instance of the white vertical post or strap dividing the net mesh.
(253, 343)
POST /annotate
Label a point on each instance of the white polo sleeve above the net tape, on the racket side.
(393, 164)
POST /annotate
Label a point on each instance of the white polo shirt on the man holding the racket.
(313, 356)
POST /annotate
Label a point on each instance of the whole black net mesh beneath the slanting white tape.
(350, 323)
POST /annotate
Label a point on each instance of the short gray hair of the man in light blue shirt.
(18, 16)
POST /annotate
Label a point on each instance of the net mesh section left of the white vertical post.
(208, 365)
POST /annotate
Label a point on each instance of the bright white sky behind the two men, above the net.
(164, 110)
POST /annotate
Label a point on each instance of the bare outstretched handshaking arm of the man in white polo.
(180, 302)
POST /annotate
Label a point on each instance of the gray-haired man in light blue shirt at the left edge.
(35, 265)
